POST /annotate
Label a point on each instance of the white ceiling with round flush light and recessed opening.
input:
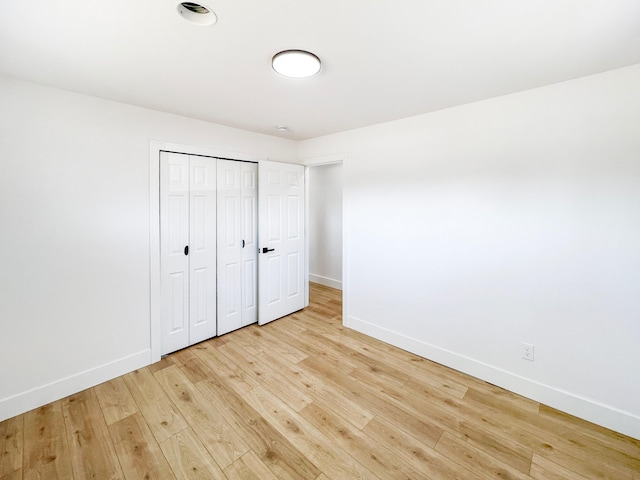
(382, 59)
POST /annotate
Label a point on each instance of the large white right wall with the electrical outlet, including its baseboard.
(472, 229)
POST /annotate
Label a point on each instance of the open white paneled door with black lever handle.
(281, 240)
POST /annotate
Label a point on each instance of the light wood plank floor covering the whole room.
(304, 398)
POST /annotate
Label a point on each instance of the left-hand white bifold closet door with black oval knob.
(187, 249)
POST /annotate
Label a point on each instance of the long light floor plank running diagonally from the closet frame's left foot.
(219, 438)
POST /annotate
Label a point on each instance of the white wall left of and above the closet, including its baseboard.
(74, 242)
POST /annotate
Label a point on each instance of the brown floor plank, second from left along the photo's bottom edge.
(46, 448)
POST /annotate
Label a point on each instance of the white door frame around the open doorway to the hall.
(315, 162)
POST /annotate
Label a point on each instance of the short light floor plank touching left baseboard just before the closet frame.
(159, 411)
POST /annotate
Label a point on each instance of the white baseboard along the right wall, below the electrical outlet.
(603, 415)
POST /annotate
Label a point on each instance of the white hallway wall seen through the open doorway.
(325, 224)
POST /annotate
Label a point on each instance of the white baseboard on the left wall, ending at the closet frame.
(37, 397)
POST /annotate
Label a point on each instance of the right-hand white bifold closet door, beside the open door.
(237, 244)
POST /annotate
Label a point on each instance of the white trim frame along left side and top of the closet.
(155, 147)
